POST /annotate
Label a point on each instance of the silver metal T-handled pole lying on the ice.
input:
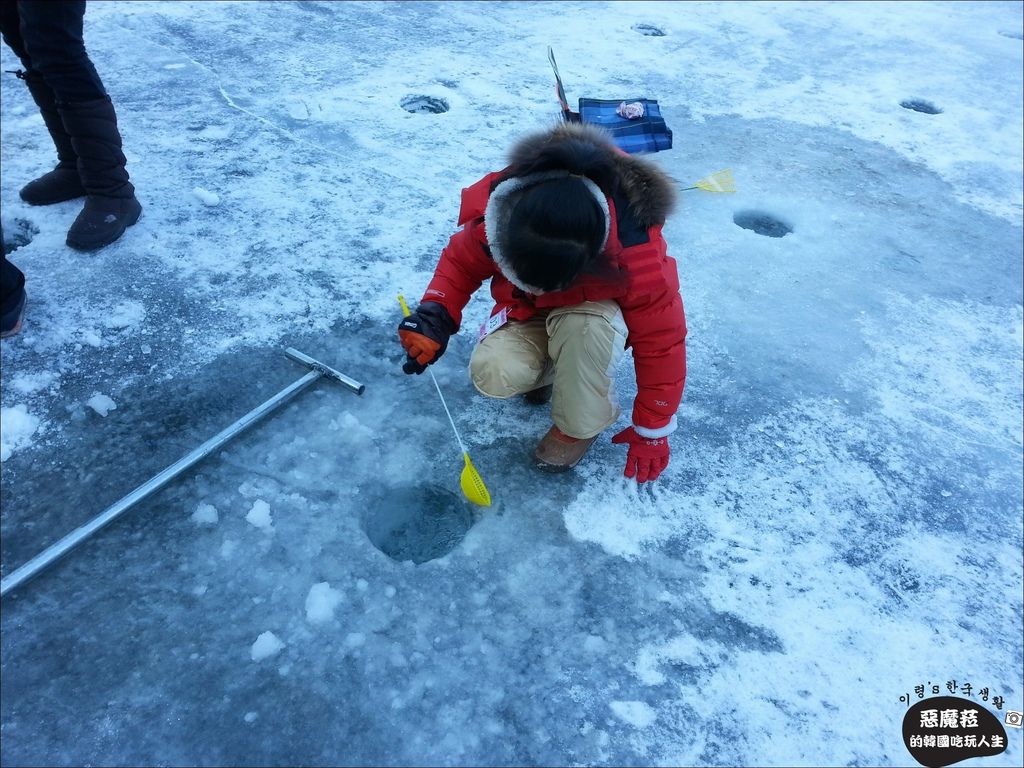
(70, 542)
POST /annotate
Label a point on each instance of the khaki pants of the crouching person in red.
(577, 349)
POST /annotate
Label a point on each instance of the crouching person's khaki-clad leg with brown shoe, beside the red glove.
(587, 343)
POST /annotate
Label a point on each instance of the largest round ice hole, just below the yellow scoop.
(417, 524)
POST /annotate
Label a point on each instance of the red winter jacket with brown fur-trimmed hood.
(643, 280)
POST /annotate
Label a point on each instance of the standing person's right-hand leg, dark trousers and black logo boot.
(53, 33)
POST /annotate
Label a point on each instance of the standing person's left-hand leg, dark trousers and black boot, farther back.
(63, 183)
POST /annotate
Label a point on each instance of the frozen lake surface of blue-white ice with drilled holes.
(842, 519)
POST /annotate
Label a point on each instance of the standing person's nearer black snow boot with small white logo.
(111, 206)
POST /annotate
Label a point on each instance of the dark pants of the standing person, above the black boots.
(47, 35)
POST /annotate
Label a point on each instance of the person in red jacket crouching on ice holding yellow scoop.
(570, 235)
